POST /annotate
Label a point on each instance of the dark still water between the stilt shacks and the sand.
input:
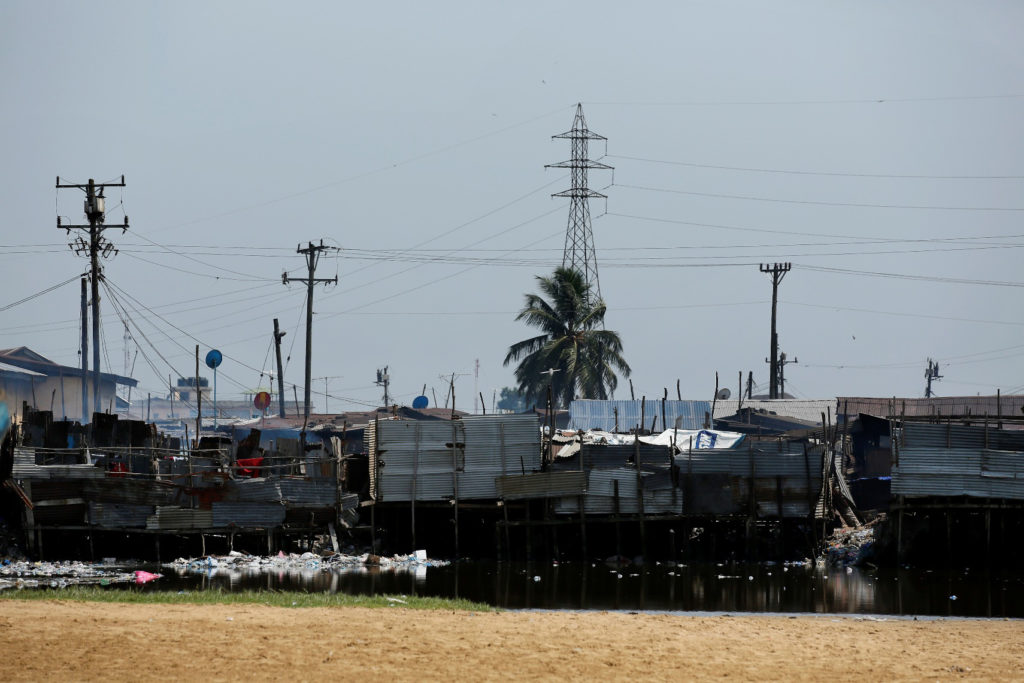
(716, 588)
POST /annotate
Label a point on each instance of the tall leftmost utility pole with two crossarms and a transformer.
(96, 212)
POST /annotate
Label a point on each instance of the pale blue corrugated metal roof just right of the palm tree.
(603, 414)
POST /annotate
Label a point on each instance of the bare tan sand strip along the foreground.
(89, 642)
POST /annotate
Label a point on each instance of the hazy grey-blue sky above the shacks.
(877, 147)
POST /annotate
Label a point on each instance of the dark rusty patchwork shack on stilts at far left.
(127, 486)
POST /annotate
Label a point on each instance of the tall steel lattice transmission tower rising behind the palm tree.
(580, 254)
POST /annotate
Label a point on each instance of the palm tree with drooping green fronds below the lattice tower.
(574, 353)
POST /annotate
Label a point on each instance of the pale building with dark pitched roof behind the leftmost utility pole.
(29, 377)
